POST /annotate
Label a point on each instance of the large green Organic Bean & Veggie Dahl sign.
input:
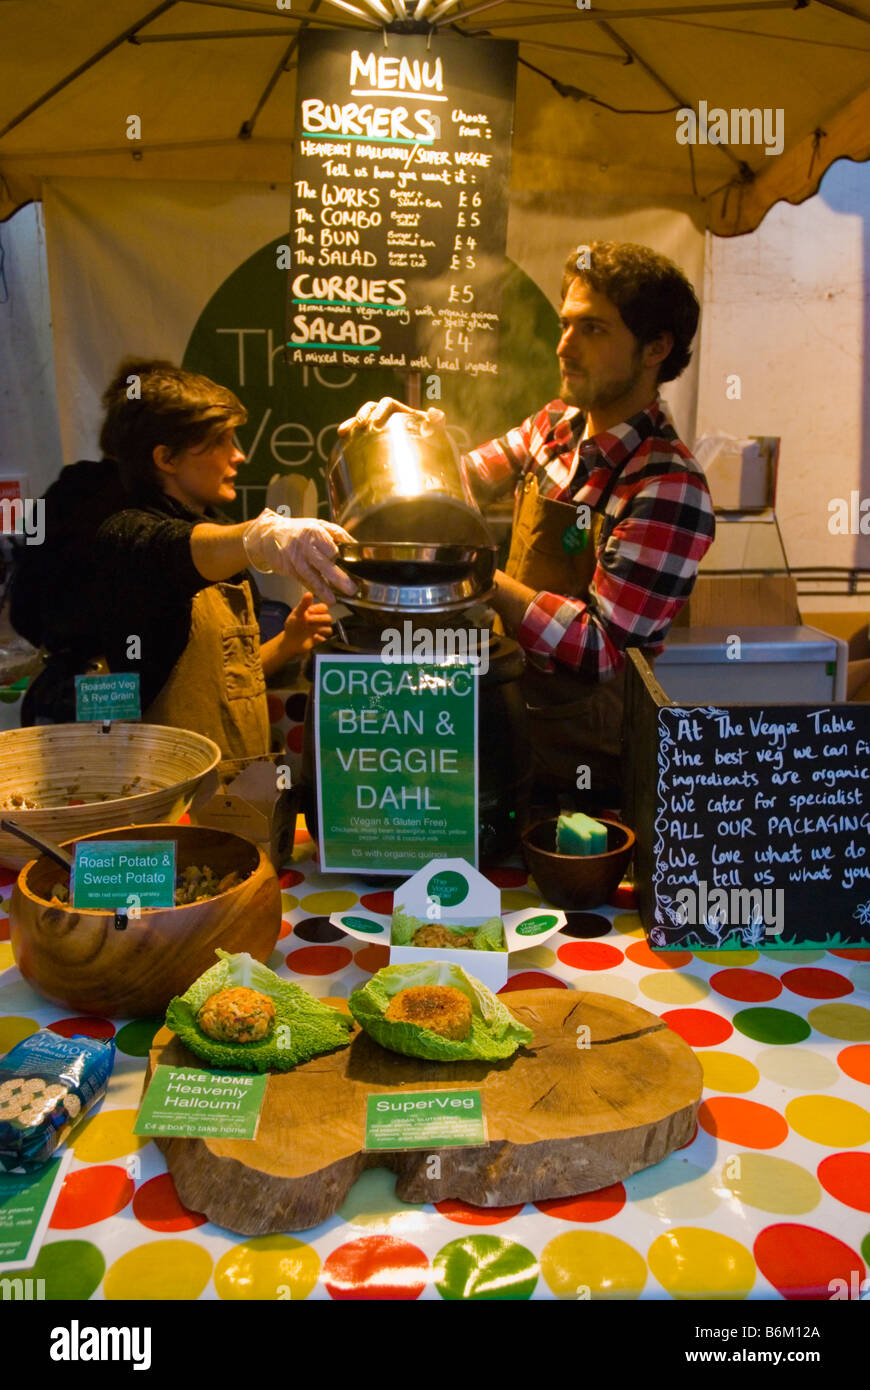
(397, 764)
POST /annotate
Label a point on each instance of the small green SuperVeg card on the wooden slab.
(425, 1120)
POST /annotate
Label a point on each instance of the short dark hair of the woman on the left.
(152, 402)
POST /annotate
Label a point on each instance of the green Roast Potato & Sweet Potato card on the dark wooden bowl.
(129, 875)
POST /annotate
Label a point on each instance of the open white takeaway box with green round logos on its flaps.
(450, 892)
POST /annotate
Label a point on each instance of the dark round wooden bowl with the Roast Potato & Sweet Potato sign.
(80, 960)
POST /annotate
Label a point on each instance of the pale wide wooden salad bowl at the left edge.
(55, 764)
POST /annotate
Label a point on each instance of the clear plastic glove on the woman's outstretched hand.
(302, 548)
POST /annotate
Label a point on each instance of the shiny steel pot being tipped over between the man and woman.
(404, 482)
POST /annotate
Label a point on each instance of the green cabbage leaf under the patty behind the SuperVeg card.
(495, 1033)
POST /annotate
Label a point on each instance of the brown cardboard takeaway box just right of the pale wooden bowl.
(243, 797)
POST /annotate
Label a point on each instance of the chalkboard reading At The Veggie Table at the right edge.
(762, 826)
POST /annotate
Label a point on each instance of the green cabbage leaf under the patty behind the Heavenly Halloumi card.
(304, 1027)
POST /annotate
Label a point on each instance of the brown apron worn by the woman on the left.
(217, 687)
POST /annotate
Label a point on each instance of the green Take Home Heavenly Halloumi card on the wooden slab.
(184, 1102)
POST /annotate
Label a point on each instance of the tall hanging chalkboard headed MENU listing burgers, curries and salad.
(400, 212)
